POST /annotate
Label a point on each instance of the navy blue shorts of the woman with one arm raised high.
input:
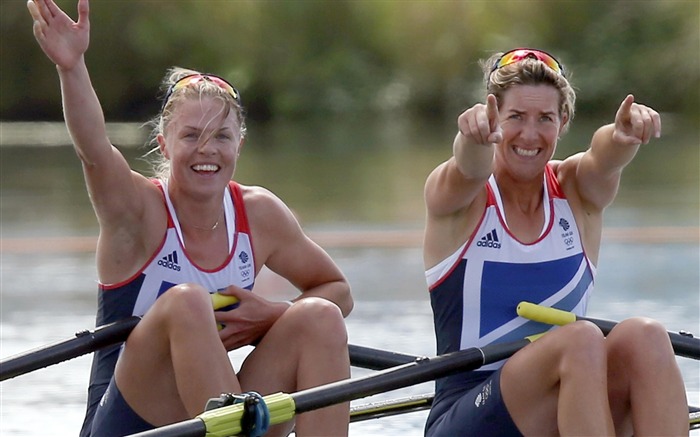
(115, 418)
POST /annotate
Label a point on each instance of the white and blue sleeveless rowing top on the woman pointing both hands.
(476, 290)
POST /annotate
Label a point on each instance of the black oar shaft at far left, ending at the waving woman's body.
(83, 343)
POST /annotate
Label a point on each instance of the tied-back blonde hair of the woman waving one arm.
(202, 88)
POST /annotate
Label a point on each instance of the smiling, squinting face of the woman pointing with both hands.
(531, 123)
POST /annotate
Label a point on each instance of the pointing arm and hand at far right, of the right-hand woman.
(613, 146)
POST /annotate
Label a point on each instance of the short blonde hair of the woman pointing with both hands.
(528, 71)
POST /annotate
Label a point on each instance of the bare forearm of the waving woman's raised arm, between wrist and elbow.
(83, 113)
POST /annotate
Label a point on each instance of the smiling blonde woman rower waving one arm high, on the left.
(166, 244)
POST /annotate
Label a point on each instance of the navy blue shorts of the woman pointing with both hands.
(477, 412)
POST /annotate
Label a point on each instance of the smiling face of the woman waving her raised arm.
(202, 142)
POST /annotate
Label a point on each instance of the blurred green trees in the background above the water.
(318, 58)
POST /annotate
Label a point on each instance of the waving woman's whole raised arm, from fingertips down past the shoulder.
(117, 193)
